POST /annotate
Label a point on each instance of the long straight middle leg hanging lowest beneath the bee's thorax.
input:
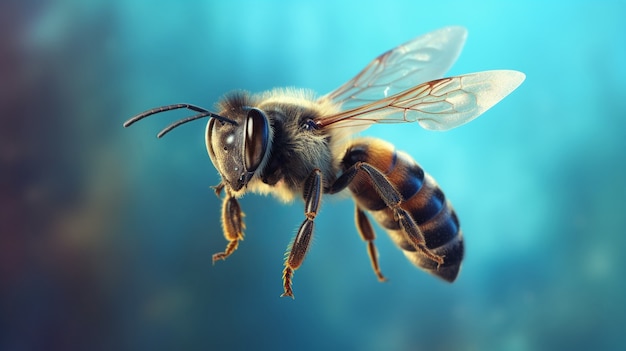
(297, 250)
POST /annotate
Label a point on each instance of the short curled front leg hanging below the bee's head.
(232, 224)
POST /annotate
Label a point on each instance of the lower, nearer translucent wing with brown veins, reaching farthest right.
(440, 104)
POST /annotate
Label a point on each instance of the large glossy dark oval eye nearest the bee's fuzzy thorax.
(256, 138)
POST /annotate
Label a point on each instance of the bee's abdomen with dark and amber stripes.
(422, 198)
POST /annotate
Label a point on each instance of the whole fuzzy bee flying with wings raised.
(288, 143)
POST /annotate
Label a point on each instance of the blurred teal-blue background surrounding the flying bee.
(107, 233)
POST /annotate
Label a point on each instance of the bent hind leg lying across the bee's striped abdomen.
(392, 199)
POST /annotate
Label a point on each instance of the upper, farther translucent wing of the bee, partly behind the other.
(420, 60)
